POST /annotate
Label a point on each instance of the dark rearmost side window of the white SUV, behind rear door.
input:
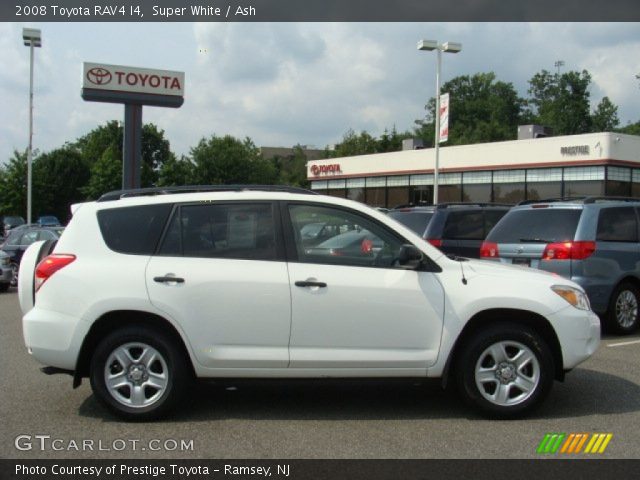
(134, 230)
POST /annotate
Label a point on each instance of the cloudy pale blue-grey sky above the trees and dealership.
(283, 84)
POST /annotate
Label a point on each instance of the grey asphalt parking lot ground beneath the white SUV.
(310, 419)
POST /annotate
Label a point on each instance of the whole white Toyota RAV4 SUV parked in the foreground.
(149, 289)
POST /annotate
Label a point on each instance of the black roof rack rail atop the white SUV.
(141, 192)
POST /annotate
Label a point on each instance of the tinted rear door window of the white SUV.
(239, 231)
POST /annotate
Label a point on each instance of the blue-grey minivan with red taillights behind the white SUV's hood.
(592, 241)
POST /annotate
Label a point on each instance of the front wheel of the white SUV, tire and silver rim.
(505, 371)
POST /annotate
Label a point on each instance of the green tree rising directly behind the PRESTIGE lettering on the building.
(561, 101)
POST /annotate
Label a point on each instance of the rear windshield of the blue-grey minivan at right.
(536, 225)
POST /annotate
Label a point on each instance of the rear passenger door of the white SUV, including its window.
(231, 294)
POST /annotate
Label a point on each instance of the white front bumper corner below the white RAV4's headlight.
(578, 333)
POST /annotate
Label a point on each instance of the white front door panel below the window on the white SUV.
(365, 317)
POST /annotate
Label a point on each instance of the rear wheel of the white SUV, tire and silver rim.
(149, 373)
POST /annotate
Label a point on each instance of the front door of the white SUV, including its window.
(353, 306)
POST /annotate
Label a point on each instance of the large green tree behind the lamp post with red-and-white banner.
(481, 109)
